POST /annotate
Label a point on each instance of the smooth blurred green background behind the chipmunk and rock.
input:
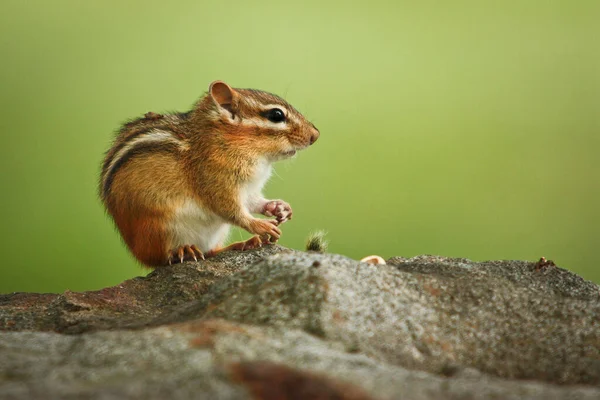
(465, 128)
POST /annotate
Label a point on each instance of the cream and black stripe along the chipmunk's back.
(152, 141)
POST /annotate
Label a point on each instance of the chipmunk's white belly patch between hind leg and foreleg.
(192, 224)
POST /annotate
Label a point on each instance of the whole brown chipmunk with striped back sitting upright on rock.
(175, 183)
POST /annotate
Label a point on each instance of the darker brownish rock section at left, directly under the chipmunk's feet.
(130, 303)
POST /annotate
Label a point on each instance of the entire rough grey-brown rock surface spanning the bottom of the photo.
(280, 324)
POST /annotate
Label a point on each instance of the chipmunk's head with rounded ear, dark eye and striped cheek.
(262, 122)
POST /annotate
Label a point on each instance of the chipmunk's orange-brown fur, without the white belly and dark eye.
(211, 152)
